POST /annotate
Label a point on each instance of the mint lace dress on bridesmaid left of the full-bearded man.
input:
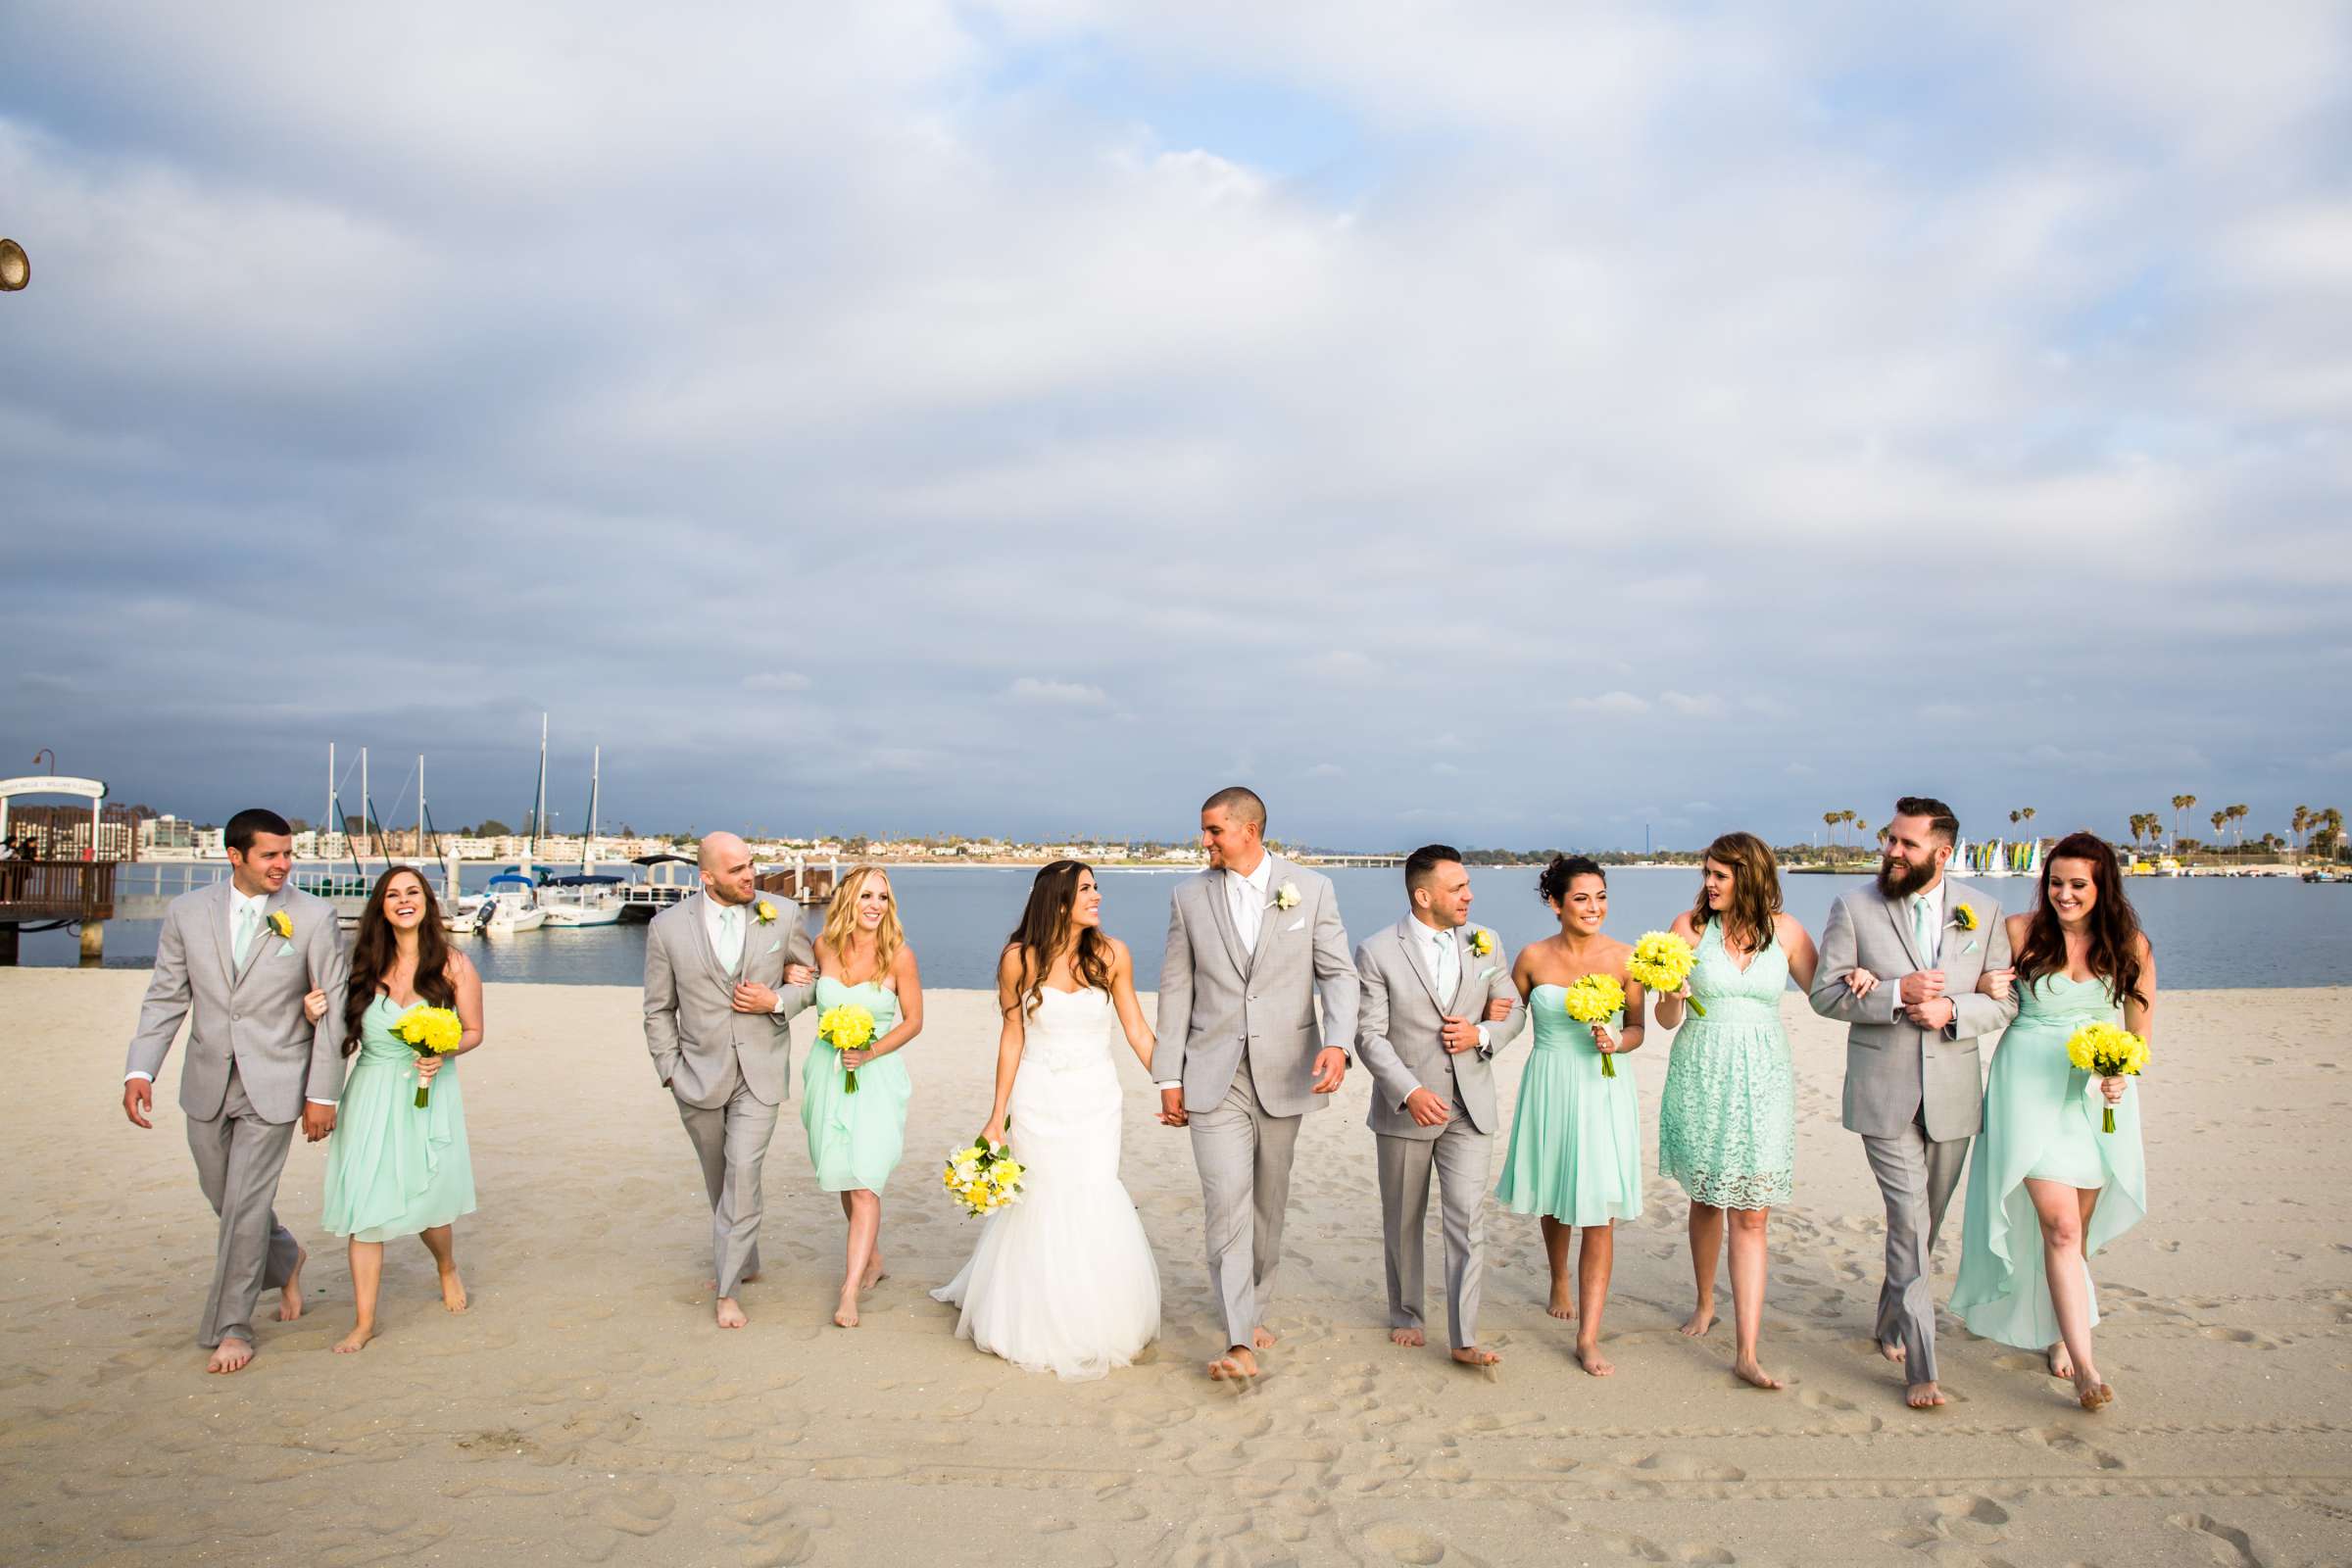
(1728, 1118)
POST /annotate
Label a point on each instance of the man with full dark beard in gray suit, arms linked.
(1916, 1087)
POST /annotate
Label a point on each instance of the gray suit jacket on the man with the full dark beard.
(1895, 1068)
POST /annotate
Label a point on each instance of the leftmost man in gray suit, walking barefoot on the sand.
(239, 958)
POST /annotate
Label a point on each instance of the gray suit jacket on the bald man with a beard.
(702, 1047)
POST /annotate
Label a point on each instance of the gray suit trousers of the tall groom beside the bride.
(1245, 1191)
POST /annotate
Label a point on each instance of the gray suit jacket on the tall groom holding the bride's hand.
(1220, 1000)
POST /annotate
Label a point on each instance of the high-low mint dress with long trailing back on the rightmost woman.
(2043, 1120)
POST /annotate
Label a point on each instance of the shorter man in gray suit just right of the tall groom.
(1438, 1005)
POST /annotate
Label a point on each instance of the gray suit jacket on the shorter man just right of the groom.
(1398, 1028)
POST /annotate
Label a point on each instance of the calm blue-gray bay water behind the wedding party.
(2210, 932)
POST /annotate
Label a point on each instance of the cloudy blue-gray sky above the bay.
(1516, 424)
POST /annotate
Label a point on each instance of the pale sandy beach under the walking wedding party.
(587, 1409)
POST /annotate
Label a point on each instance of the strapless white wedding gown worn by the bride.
(1064, 1280)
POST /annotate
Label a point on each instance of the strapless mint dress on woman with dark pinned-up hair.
(1577, 1137)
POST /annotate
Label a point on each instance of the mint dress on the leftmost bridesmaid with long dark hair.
(396, 1170)
